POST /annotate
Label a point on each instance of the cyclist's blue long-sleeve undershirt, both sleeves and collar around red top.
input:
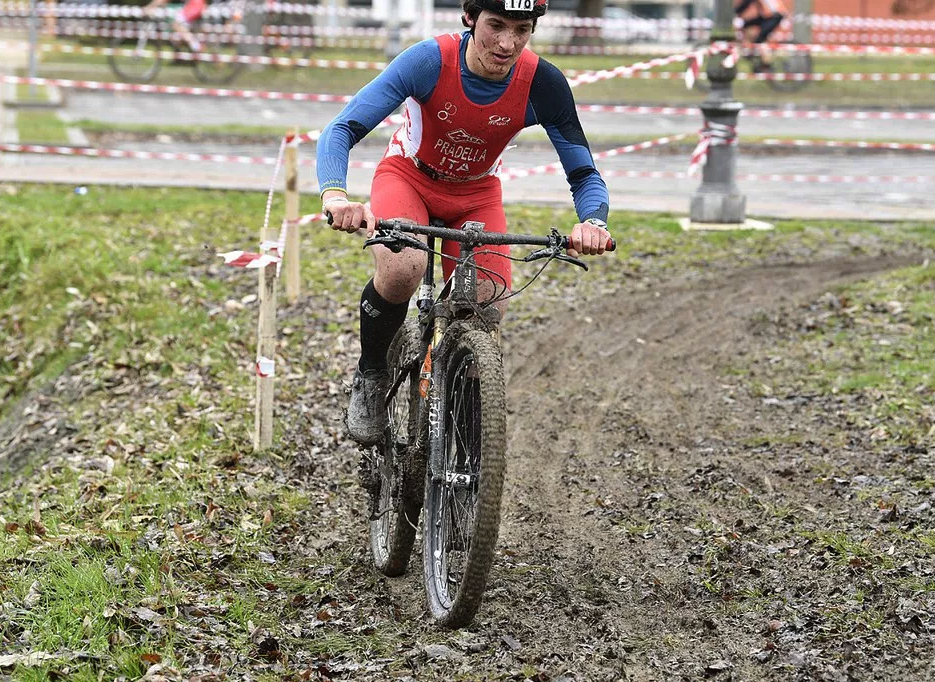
(415, 73)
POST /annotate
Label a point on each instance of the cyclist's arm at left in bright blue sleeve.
(414, 73)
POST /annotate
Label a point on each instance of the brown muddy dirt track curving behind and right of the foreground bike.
(660, 522)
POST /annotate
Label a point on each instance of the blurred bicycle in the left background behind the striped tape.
(215, 61)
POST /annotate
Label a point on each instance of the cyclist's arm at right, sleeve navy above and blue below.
(553, 107)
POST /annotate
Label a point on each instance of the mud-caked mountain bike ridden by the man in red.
(444, 448)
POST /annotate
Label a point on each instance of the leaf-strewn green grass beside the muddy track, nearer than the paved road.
(160, 549)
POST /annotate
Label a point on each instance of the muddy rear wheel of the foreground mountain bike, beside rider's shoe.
(398, 461)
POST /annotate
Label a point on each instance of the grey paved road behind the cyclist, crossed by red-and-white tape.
(891, 200)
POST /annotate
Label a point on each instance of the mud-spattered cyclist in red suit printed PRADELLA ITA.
(466, 97)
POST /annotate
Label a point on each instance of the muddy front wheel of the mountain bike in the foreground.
(464, 481)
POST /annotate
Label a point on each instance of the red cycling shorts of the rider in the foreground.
(400, 190)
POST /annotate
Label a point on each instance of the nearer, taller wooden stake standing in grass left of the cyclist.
(266, 350)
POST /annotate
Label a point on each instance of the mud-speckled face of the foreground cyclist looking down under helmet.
(497, 45)
